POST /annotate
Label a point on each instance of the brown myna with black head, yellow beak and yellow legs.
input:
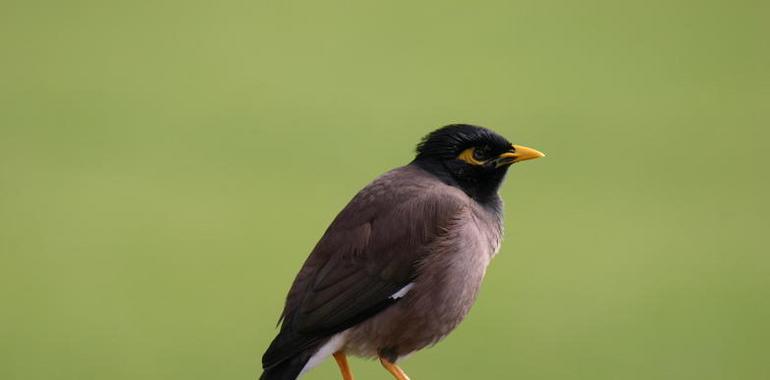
(401, 265)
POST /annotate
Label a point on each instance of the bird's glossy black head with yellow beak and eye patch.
(472, 158)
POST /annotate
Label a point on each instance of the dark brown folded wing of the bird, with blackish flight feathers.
(368, 253)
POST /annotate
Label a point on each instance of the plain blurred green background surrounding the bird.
(166, 166)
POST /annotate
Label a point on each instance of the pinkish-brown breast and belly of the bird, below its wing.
(447, 282)
